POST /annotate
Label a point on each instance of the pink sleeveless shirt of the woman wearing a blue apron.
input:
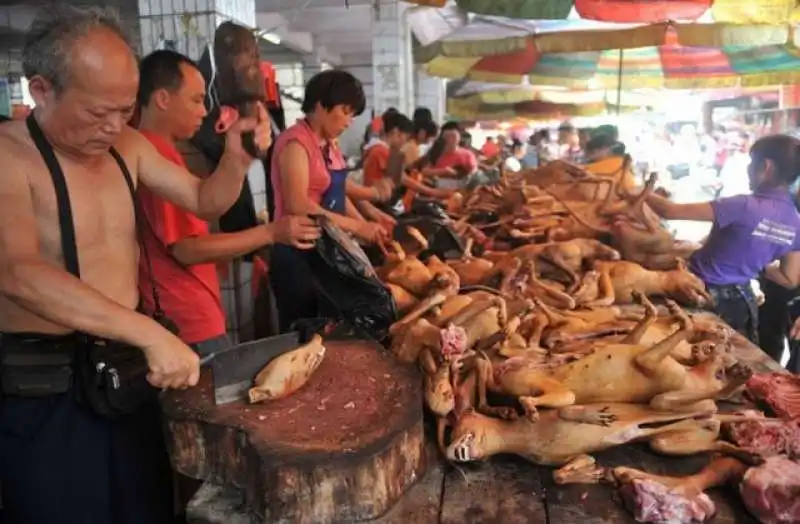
(318, 177)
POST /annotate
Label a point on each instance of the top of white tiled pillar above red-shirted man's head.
(188, 26)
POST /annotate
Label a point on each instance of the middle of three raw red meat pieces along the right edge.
(767, 437)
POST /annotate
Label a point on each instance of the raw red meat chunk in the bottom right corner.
(771, 492)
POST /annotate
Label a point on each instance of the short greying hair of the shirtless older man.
(50, 39)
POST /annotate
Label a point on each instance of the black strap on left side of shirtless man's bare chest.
(69, 246)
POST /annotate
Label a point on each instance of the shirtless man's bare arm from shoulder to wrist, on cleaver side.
(47, 290)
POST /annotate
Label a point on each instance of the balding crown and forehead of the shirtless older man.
(65, 43)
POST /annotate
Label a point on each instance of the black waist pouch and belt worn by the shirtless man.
(109, 378)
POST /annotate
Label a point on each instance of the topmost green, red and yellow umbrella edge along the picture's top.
(641, 11)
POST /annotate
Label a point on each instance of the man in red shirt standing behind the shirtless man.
(182, 250)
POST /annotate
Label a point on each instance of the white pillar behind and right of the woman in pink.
(392, 63)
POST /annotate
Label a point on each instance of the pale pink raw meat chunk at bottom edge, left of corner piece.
(652, 502)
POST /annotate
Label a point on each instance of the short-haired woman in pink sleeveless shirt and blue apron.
(309, 177)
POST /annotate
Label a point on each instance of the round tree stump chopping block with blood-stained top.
(344, 448)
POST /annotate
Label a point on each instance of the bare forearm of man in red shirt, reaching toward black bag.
(221, 247)
